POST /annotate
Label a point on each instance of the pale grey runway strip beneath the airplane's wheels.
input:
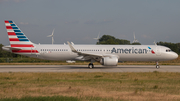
(84, 68)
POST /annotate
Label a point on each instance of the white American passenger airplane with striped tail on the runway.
(106, 55)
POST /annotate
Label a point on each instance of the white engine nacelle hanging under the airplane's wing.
(109, 61)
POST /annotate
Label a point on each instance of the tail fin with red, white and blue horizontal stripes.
(17, 38)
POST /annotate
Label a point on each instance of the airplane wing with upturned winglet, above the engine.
(96, 57)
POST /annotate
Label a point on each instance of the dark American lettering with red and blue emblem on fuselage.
(131, 51)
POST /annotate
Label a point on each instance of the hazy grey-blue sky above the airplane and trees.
(80, 21)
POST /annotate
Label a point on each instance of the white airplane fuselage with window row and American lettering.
(123, 52)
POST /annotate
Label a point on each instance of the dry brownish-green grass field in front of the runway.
(92, 86)
